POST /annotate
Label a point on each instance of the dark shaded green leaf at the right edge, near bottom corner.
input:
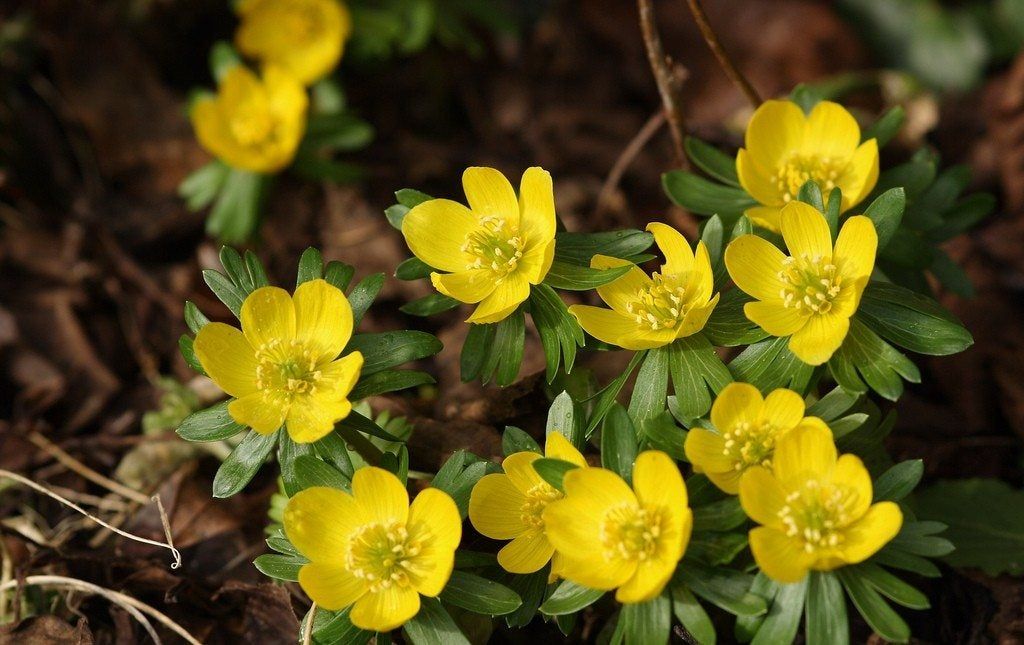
(986, 520)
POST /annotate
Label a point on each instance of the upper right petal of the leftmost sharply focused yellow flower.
(323, 319)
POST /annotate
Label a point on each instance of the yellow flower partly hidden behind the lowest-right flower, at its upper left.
(748, 428)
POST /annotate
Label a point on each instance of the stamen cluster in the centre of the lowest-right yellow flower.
(818, 513)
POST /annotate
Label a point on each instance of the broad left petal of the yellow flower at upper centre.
(436, 232)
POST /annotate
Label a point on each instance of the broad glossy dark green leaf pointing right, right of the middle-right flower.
(912, 321)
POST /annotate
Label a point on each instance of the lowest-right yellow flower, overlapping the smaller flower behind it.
(816, 510)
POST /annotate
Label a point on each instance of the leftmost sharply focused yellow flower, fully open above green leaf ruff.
(283, 367)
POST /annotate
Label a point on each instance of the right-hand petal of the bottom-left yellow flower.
(434, 513)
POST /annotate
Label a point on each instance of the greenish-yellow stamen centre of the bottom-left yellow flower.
(386, 554)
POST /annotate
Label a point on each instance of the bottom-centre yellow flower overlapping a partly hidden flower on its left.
(611, 537)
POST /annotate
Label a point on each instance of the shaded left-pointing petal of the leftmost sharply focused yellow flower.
(228, 359)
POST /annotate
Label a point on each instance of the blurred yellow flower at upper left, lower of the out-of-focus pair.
(253, 124)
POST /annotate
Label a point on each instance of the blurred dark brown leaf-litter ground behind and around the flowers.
(99, 253)
